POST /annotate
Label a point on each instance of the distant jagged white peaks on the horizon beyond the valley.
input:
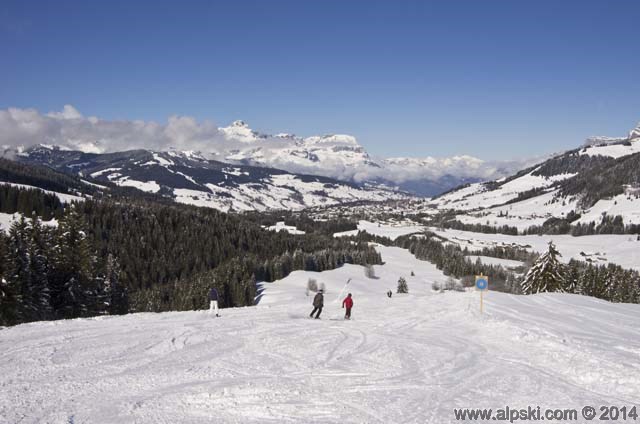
(341, 156)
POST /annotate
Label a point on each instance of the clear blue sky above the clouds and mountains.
(493, 79)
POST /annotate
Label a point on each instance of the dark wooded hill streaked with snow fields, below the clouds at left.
(189, 178)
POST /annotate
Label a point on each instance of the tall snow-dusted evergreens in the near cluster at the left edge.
(51, 273)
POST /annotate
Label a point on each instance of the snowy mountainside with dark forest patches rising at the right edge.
(580, 186)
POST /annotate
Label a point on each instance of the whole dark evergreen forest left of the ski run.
(119, 256)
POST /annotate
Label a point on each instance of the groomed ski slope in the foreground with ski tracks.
(409, 359)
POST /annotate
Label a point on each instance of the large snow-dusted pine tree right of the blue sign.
(546, 274)
